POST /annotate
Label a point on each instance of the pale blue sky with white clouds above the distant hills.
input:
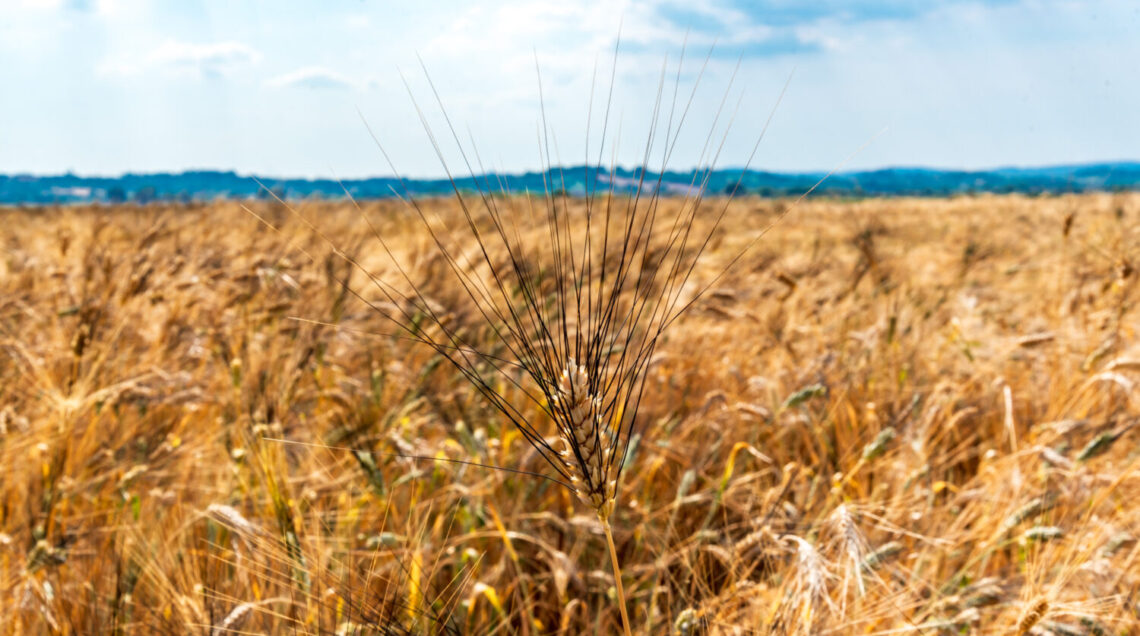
(299, 89)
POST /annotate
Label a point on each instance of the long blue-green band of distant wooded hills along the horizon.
(207, 185)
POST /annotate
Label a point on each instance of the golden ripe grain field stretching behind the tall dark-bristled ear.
(913, 417)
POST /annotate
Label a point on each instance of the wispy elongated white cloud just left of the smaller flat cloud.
(205, 60)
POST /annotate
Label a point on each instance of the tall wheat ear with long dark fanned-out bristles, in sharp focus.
(580, 331)
